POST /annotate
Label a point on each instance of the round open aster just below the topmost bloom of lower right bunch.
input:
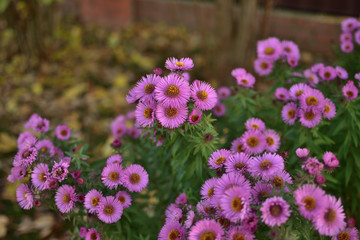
(253, 142)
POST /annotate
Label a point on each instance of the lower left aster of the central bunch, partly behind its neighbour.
(145, 113)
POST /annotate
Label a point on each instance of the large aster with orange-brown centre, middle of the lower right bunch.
(235, 204)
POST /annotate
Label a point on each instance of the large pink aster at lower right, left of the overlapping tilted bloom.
(309, 198)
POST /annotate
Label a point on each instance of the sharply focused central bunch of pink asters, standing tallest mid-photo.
(167, 99)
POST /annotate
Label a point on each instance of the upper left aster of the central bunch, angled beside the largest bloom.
(145, 88)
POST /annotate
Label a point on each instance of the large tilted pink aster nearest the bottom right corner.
(330, 220)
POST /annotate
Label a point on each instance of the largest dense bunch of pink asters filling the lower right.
(252, 192)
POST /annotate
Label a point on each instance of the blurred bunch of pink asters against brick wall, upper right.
(271, 50)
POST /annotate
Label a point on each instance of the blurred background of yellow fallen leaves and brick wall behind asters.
(73, 61)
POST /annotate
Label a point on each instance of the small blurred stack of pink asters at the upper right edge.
(350, 33)
